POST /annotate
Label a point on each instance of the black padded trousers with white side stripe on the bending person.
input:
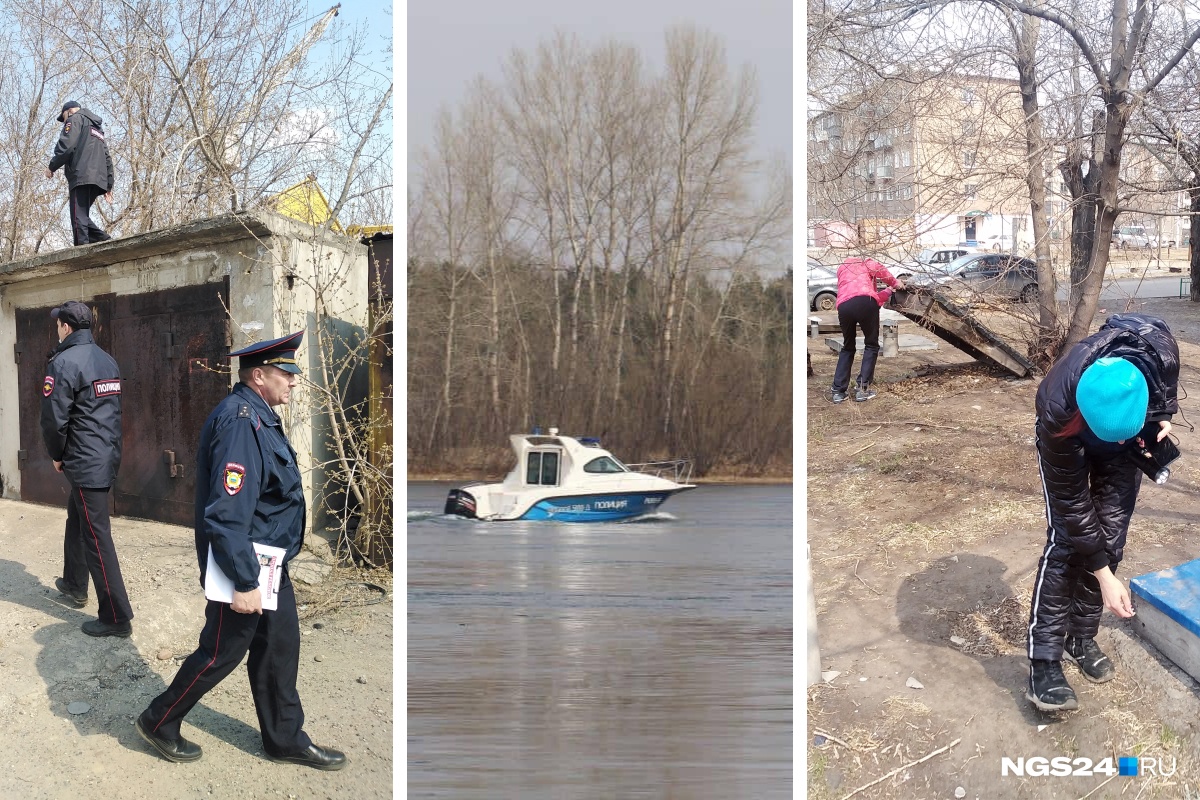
(1067, 599)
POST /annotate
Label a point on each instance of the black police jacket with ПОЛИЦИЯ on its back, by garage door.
(82, 412)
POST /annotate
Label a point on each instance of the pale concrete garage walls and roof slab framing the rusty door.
(268, 261)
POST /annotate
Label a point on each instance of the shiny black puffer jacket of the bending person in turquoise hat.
(1077, 503)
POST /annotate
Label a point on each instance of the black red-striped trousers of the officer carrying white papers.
(273, 640)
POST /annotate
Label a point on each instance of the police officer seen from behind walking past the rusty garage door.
(82, 430)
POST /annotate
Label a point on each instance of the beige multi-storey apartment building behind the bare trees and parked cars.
(921, 163)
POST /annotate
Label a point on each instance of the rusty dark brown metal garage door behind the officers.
(172, 348)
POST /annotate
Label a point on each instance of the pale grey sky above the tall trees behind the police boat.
(453, 41)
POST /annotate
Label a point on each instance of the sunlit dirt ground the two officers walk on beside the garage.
(49, 665)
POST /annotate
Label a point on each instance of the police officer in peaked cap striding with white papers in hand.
(248, 490)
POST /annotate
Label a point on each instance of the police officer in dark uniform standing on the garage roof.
(83, 154)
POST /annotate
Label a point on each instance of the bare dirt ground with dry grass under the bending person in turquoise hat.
(926, 525)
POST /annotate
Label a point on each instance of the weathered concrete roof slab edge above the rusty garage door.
(214, 231)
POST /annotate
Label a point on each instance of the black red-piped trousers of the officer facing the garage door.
(88, 550)
